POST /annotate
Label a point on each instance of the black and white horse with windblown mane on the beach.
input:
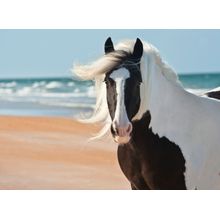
(167, 137)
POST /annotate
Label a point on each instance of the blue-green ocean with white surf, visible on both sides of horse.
(68, 97)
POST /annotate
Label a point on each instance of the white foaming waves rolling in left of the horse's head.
(54, 92)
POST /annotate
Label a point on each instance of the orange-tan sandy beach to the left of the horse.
(54, 153)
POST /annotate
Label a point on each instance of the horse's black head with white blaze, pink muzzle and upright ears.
(123, 90)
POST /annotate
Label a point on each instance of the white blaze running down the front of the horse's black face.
(120, 76)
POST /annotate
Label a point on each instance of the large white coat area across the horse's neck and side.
(192, 123)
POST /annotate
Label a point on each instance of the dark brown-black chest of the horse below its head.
(150, 162)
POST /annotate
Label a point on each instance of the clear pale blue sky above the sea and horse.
(51, 53)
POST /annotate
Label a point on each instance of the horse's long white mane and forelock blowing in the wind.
(97, 70)
